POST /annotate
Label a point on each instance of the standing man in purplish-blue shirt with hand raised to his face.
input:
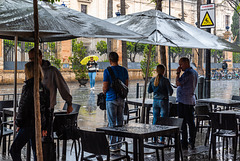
(186, 85)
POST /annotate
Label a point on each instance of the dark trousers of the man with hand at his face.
(187, 113)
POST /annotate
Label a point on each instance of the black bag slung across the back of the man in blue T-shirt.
(118, 86)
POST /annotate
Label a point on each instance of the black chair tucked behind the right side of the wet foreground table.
(159, 146)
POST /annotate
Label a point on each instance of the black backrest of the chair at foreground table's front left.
(94, 142)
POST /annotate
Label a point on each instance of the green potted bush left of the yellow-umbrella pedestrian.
(80, 71)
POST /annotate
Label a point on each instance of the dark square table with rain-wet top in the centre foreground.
(138, 132)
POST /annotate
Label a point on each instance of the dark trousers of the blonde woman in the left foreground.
(24, 135)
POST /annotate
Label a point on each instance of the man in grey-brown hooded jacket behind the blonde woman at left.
(53, 80)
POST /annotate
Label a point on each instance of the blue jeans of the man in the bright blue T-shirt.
(115, 116)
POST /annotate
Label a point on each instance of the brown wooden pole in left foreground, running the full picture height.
(38, 136)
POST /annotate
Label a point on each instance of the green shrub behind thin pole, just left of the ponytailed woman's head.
(152, 63)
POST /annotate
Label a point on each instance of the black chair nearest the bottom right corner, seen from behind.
(225, 126)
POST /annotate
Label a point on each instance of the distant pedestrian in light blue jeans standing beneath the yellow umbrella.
(92, 67)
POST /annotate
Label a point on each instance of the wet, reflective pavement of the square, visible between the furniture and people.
(91, 117)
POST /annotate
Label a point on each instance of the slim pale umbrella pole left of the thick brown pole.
(15, 88)
